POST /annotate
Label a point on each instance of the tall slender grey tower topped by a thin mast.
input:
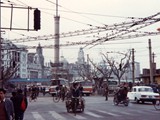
(56, 45)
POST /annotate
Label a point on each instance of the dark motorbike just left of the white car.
(118, 100)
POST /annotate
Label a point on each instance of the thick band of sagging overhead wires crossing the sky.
(123, 30)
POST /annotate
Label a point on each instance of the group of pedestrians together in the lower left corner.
(10, 108)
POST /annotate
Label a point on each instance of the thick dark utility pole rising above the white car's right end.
(150, 61)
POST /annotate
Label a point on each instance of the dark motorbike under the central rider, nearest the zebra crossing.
(75, 104)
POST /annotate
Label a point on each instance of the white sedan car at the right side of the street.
(143, 94)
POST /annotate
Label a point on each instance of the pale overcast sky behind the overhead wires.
(77, 15)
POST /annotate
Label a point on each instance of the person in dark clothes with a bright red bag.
(19, 113)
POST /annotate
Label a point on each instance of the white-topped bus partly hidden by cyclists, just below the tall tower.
(57, 82)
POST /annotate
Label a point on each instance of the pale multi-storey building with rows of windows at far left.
(14, 56)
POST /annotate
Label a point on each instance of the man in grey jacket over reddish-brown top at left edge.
(6, 107)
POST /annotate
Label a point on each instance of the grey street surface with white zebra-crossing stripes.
(96, 108)
